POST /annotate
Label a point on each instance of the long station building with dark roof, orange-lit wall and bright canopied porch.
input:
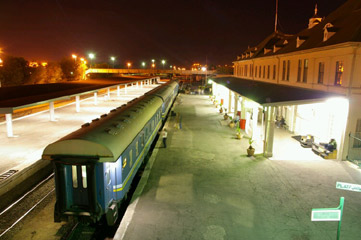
(311, 79)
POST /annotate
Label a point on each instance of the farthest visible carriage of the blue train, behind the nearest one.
(168, 92)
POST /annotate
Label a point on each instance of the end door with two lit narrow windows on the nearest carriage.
(80, 185)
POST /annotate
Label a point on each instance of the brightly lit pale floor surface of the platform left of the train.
(34, 132)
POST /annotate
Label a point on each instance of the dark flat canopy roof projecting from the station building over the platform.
(273, 94)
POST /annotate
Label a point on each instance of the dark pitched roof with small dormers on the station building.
(346, 22)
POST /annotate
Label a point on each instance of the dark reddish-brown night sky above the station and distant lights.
(180, 31)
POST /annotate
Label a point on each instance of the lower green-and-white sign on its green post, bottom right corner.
(329, 214)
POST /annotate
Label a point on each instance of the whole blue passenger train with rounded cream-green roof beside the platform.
(95, 165)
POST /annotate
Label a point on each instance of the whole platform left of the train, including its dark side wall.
(21, 154)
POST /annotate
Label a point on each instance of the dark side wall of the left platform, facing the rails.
(17, 185)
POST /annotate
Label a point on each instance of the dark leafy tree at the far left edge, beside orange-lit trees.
(15, 71)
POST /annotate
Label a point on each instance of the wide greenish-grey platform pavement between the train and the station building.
(203, 186)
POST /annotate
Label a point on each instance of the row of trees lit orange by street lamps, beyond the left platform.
(16, 71)
